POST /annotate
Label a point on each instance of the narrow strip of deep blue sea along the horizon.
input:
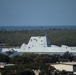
(35, 27)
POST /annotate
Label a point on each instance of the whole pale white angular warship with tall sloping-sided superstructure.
(40, 44)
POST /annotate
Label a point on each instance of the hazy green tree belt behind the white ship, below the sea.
(57, 37)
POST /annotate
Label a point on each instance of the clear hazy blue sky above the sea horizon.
(37, 12)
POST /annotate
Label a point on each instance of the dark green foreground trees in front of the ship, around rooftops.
(27, 62)
